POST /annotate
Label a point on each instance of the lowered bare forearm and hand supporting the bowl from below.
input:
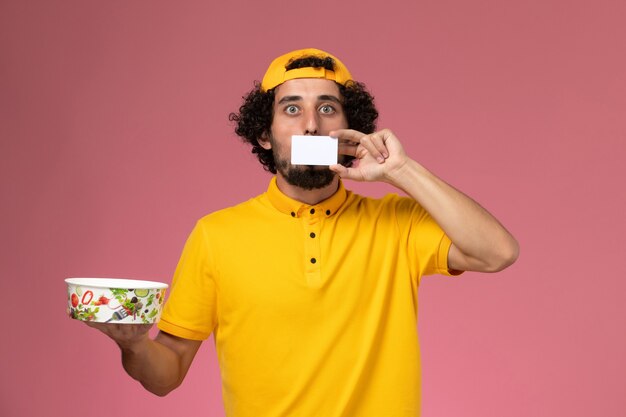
(160, 365)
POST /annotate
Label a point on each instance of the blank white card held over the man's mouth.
(314, 150)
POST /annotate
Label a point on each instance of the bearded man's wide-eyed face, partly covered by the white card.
(307, 106)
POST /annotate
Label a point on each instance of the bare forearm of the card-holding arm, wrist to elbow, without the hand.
(484, 243)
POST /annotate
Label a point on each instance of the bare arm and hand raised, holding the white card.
(479, 241)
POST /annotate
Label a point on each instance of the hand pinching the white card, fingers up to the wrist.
(377, 155)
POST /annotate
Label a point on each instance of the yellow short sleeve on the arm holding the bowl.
(190, 311)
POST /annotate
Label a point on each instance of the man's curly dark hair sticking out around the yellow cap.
(254, 119)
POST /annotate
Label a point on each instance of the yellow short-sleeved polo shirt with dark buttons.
(313, 308)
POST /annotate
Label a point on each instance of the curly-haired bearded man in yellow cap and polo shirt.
(310, 290)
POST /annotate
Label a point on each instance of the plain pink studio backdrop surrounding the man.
(115, 139)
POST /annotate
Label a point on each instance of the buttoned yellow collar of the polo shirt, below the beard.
(297, 208)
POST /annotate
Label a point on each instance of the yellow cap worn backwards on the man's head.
(277, 74)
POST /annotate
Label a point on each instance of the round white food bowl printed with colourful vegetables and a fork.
(115, 300)
